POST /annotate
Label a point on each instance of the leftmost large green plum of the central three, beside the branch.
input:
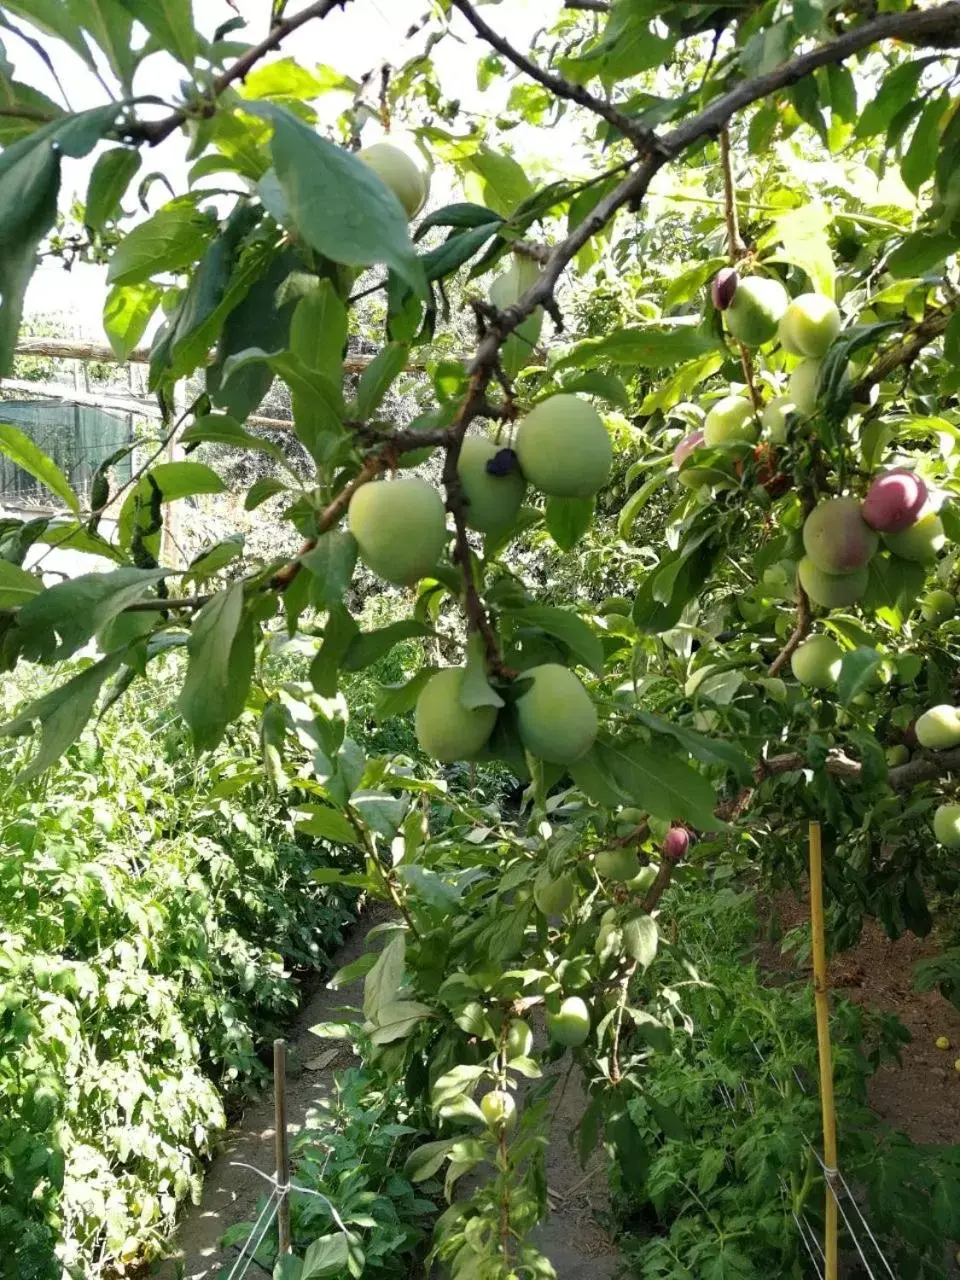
(400, 528)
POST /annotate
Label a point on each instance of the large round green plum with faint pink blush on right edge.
(564, 447)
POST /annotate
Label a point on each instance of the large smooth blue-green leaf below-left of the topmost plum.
(339, 205)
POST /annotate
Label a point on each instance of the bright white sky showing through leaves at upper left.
(354, 42)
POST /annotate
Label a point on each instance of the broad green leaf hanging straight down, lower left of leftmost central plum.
(221, 665)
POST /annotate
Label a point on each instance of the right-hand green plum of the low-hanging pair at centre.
(557, 719)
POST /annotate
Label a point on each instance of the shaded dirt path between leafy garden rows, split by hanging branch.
(574, 1238)
